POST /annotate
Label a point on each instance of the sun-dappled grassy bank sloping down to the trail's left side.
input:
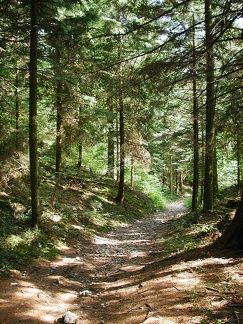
(71, 210)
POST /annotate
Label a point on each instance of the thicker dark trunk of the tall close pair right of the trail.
(208, 198)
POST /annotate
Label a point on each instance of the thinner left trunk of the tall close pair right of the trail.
(195, 132)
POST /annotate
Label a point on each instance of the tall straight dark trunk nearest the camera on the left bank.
(34, 172)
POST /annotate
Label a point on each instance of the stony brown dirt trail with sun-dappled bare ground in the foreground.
(124, 277)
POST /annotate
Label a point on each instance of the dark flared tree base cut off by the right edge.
(232, 237)
